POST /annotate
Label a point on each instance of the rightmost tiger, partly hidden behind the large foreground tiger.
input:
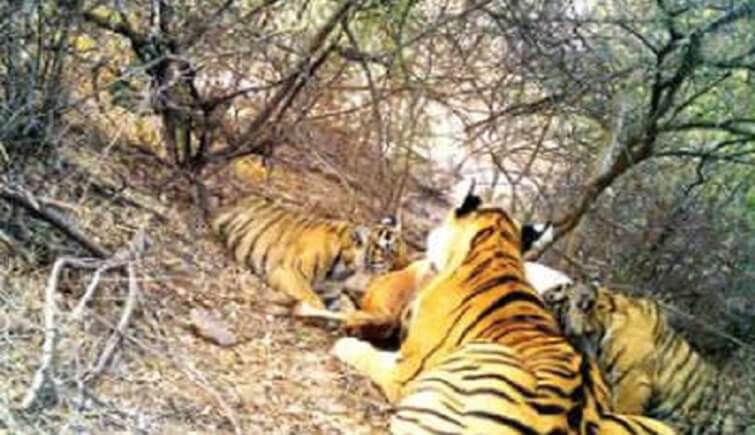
(650, 368)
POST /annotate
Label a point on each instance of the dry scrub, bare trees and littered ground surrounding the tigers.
(123, 124)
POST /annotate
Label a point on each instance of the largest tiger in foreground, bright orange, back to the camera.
(483, 355)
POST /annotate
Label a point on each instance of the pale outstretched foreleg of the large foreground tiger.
(379, 366)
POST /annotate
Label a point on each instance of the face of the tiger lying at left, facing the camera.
(384, 249)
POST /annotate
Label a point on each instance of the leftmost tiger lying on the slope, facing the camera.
(301, 254)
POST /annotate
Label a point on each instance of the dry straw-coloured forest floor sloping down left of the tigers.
(275, 375)
